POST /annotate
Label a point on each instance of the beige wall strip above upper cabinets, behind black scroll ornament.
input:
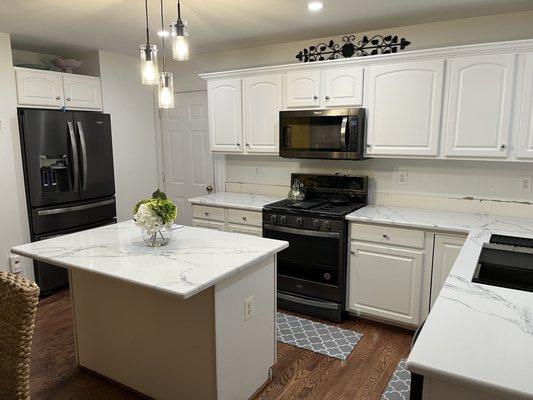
(439, 34)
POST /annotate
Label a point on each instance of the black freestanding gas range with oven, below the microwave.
(312, 270)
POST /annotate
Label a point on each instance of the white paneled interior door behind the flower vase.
(188, 163)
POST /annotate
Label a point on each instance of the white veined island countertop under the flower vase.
(194, 260)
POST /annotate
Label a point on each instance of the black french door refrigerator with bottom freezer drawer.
(68, 171)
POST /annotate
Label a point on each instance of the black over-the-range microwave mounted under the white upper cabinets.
(337, 133)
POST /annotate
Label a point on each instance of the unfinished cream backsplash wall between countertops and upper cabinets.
(442, 184)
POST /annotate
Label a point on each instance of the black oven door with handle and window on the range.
(312, 264)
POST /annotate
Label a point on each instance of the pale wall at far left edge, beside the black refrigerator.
(13, 218)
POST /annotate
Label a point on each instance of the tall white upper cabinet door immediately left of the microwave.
(262, 103)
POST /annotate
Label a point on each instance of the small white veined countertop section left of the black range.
(245, 201)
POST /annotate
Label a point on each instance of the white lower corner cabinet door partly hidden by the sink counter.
(445, 252)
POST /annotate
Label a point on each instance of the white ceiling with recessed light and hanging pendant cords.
(63, 26)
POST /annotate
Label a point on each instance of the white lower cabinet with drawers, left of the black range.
(227, 219)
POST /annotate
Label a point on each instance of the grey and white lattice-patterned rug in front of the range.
(315, 336)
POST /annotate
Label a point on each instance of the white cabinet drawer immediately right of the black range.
(387, 235)
